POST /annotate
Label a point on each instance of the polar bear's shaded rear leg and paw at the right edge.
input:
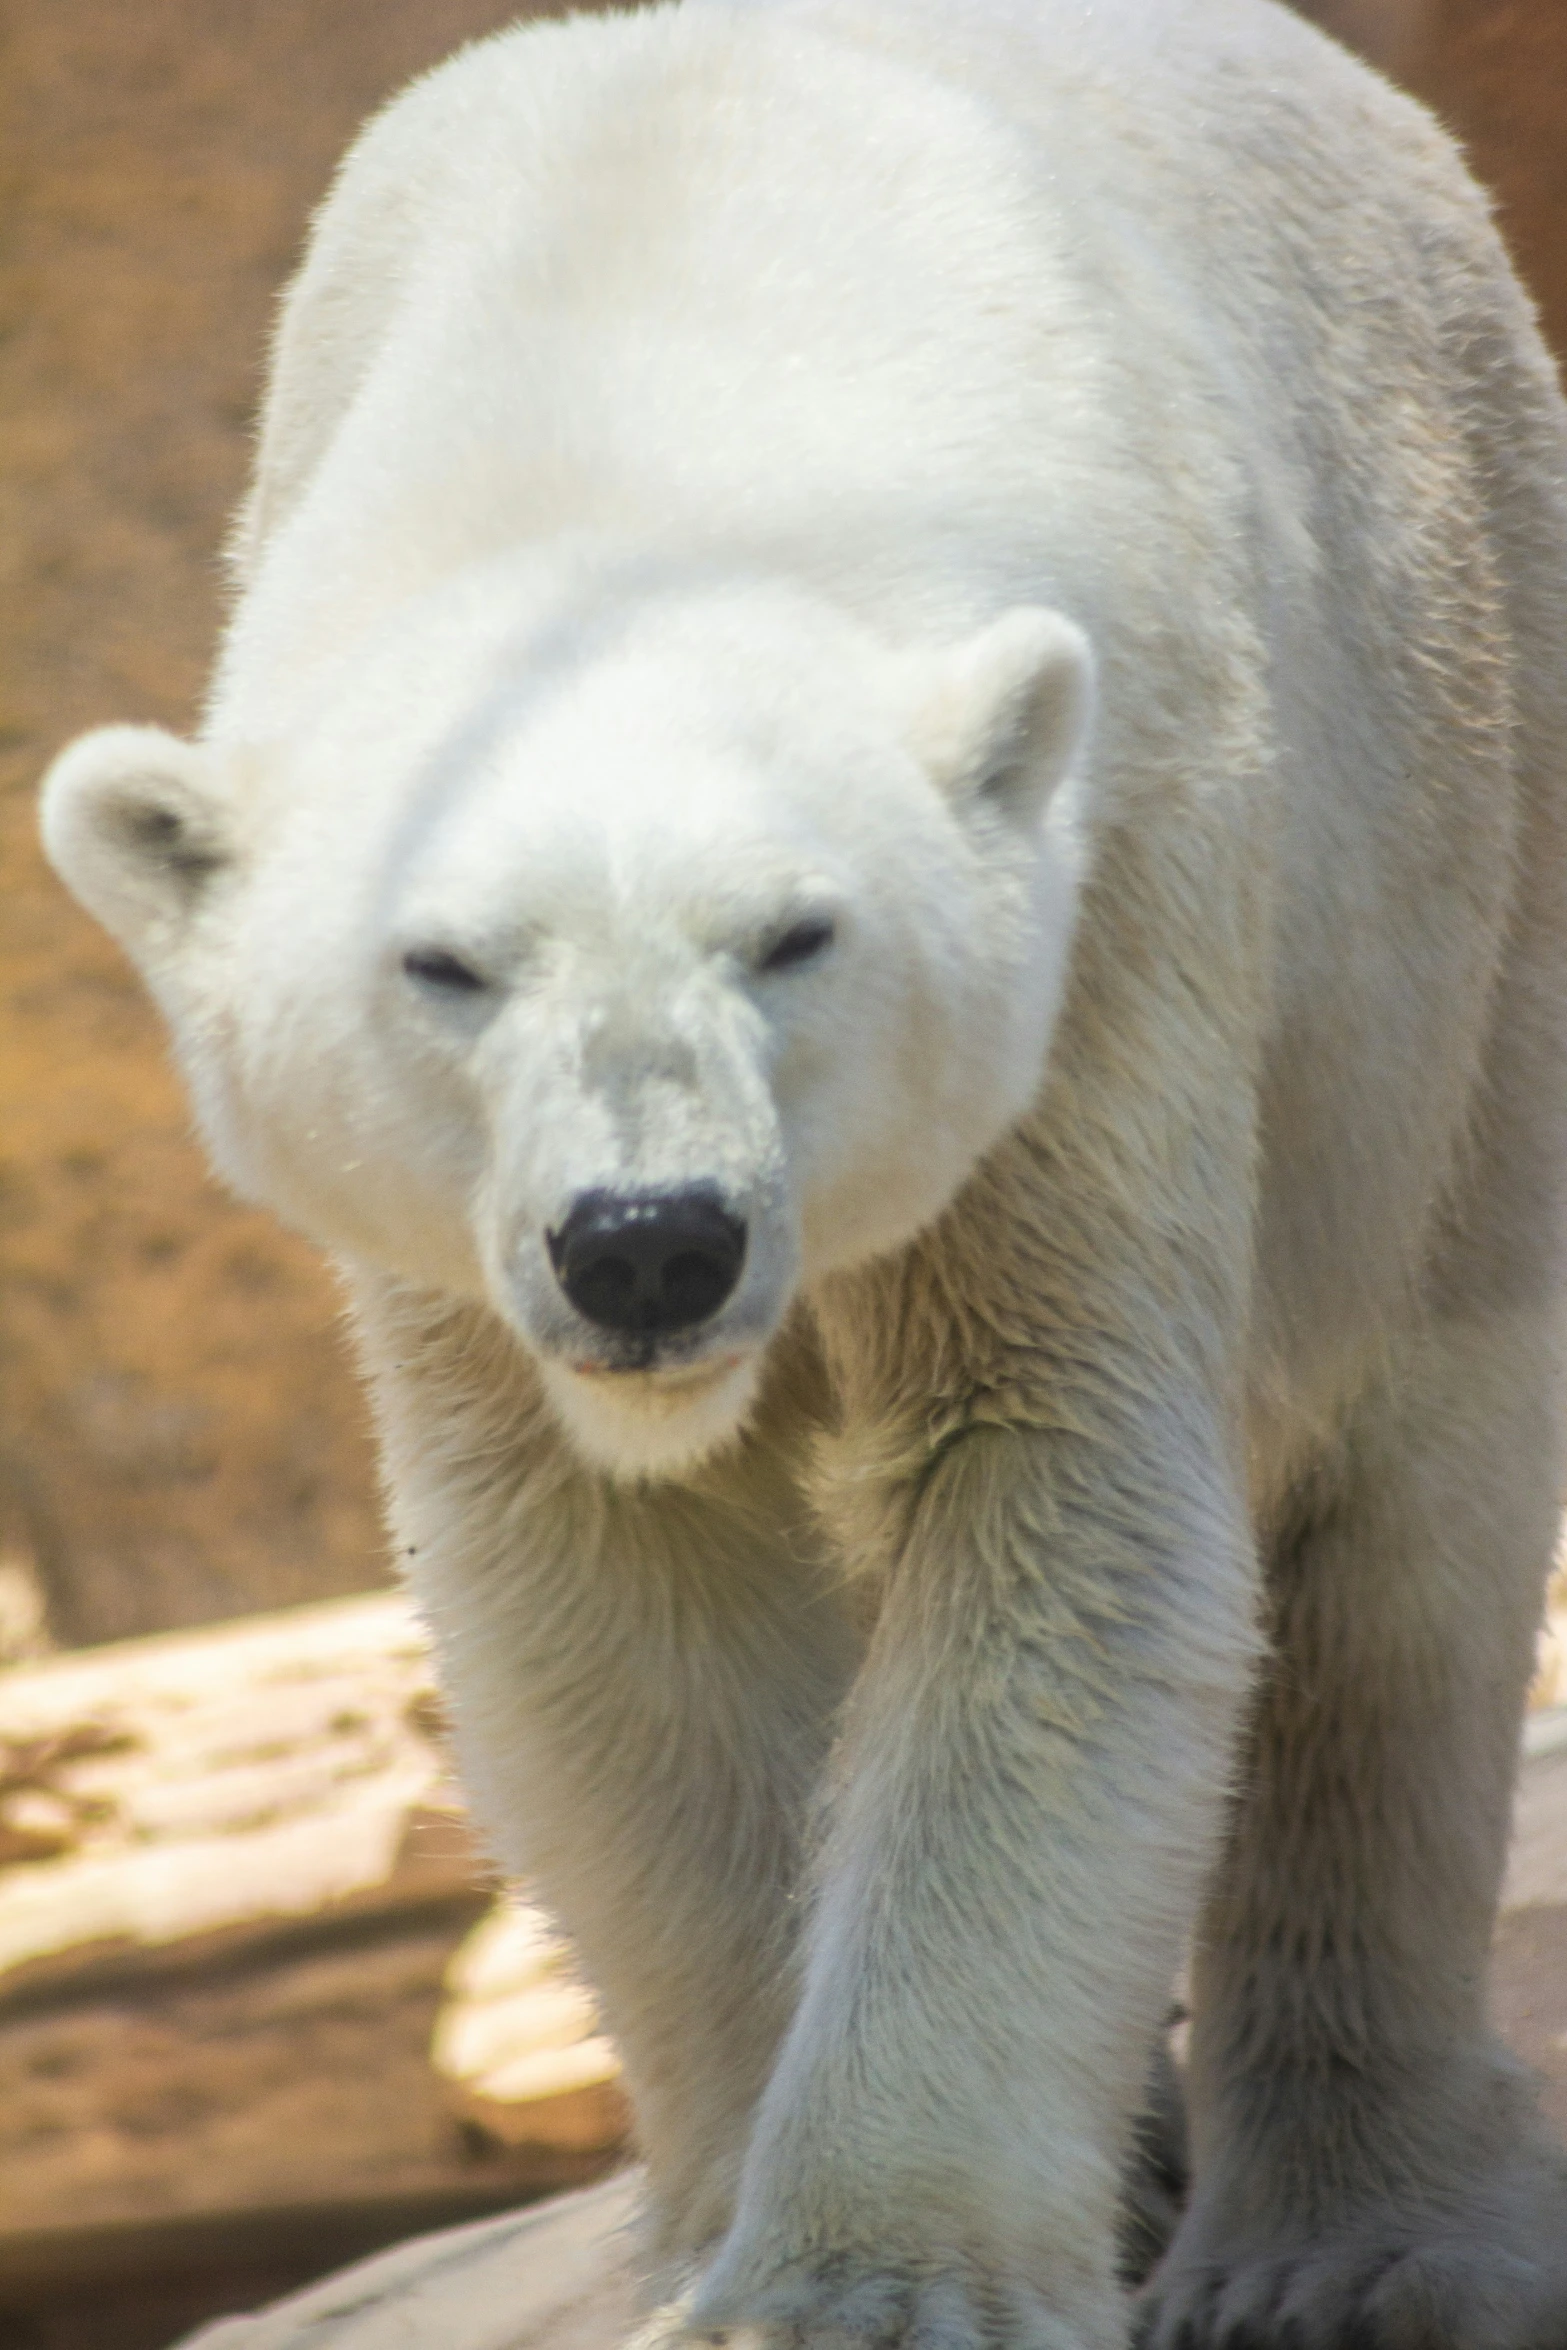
(1368, 2158)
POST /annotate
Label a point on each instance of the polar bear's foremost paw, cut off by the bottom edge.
(840, 2304)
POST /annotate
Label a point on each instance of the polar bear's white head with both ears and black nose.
(624, 960)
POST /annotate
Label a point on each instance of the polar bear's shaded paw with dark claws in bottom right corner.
(1486, 2274)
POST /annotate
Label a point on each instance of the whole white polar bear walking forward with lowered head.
(882, 845)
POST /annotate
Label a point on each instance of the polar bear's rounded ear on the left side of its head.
(135, 828)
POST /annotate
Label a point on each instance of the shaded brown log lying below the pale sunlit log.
(297, 2083)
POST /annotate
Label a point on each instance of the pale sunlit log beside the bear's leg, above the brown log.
(177, 1794)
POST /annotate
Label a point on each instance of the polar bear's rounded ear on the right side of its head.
(1004, 716)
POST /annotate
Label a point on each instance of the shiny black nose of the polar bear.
(650, 1261)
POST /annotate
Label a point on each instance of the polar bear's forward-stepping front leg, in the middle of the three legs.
(1025, 1801)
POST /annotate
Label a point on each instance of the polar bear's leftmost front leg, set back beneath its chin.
(645, 1684)
